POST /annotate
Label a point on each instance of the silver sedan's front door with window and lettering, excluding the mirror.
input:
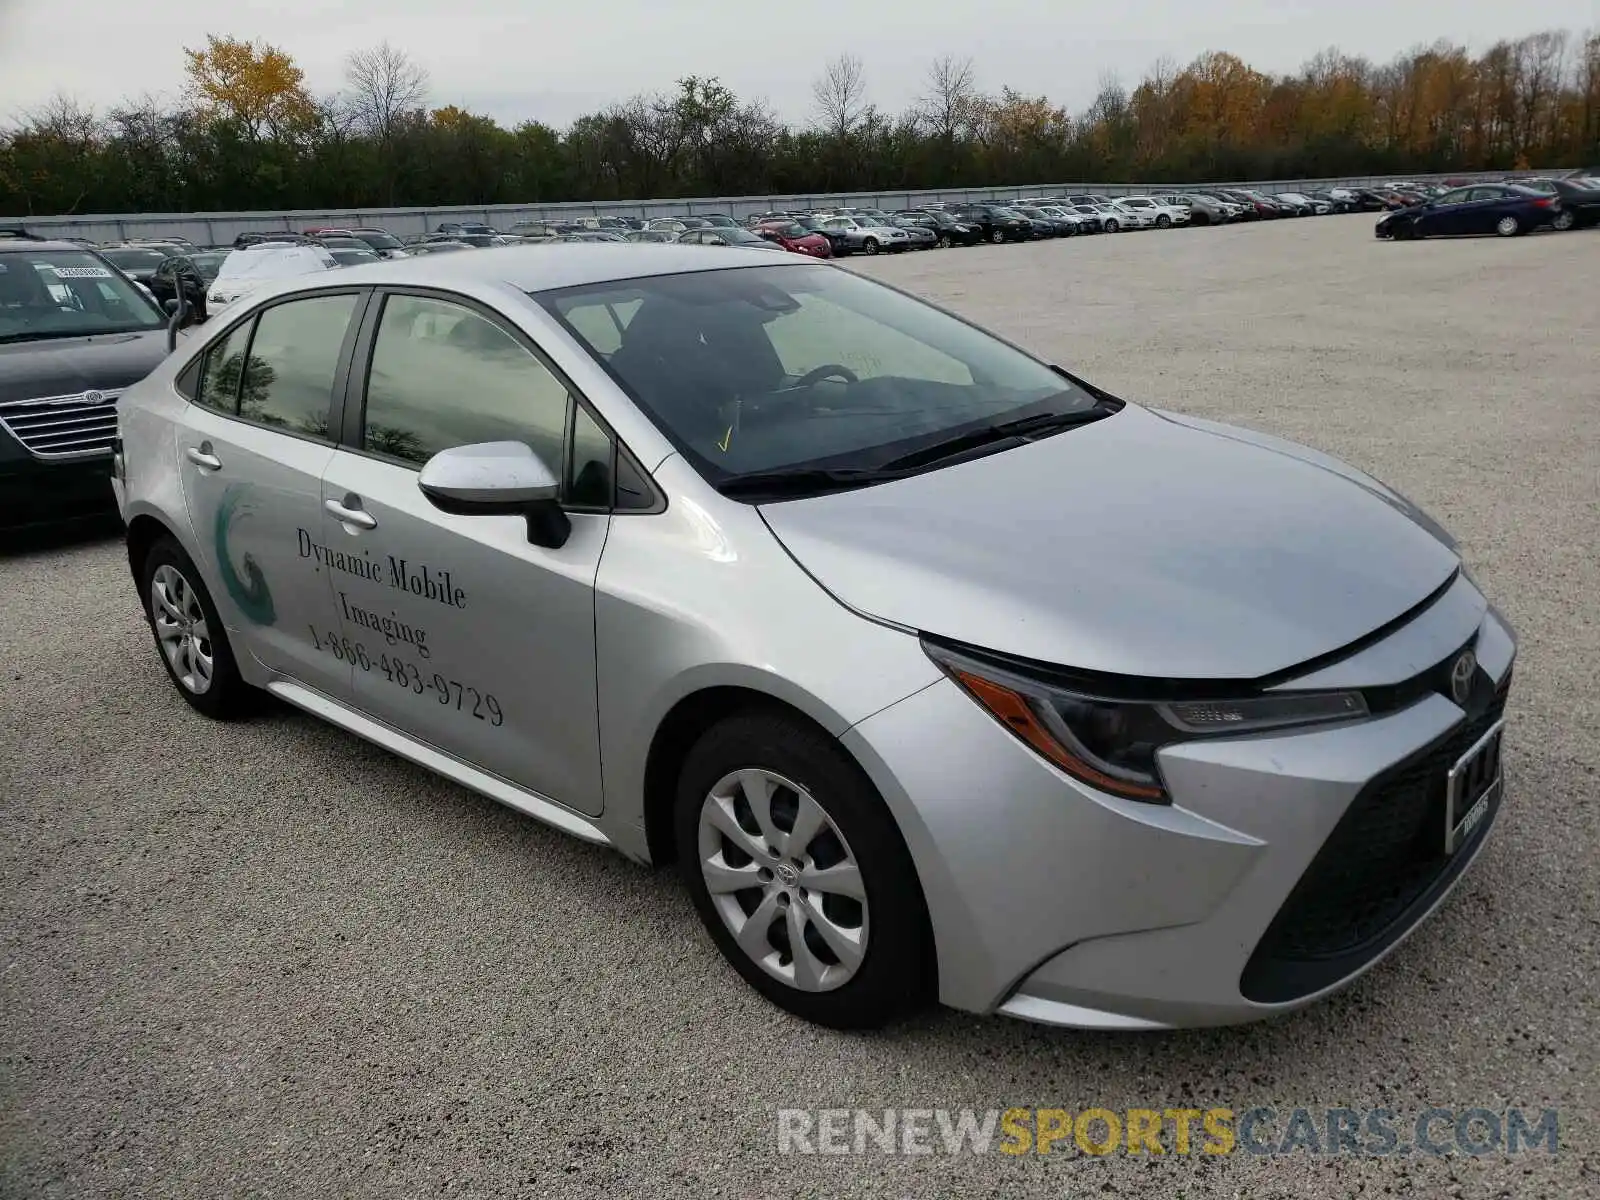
(465, 634)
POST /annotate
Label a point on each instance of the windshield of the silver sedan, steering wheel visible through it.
(766, 369)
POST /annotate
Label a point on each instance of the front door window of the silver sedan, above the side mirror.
(446, 377)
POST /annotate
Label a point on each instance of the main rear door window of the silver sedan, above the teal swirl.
(294, 362)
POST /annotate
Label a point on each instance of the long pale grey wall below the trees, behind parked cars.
(212, 230)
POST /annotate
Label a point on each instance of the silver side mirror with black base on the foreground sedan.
(498, 479)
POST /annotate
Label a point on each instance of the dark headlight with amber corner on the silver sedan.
(1111, 743)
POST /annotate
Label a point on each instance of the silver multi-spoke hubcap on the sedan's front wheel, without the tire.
(785, 881)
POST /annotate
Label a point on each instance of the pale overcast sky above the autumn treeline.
(556, 62)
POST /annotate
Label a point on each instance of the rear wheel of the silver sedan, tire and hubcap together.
(172, 593)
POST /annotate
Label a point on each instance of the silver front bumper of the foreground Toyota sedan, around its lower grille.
(1062, 905)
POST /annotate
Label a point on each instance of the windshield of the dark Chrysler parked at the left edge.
(63, 294)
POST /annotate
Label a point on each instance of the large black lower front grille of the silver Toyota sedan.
(1383, 862)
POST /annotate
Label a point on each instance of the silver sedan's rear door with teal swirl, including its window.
(252, 454)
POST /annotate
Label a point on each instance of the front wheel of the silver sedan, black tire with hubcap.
(802, 770)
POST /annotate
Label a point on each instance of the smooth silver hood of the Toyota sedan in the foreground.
(1143, 545)
